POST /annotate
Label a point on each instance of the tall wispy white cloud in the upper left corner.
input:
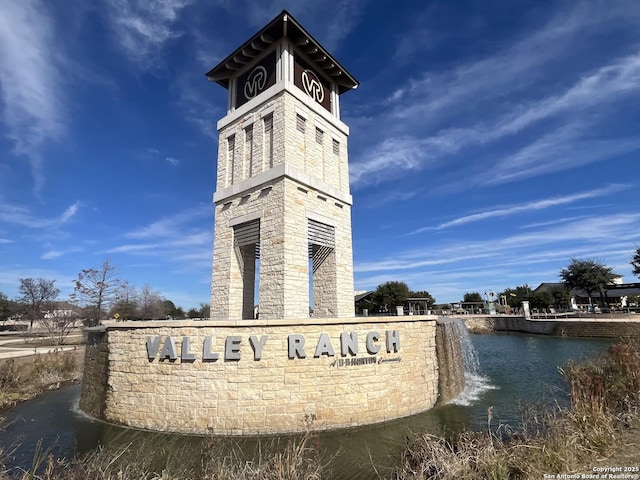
(32, 84)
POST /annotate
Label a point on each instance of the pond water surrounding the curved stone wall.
(508, 370)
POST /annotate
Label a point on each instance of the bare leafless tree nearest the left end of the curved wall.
(96, 287)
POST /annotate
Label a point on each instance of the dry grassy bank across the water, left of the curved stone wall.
(23, 378)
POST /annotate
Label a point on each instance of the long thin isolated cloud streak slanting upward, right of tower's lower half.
(510, 210)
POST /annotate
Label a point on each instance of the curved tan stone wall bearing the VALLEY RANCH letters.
(260, 377)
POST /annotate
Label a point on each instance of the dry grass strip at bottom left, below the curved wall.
(160, 458)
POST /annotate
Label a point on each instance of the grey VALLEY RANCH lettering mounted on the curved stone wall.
(165, 349)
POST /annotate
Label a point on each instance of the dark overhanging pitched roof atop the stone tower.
(284, 25)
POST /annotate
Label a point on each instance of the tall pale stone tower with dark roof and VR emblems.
(283, 207)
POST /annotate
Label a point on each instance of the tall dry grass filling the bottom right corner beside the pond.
(605, 400)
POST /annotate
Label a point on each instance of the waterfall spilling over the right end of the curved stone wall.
(459, 368)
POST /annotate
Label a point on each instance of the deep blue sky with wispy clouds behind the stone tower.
(490, 141)
